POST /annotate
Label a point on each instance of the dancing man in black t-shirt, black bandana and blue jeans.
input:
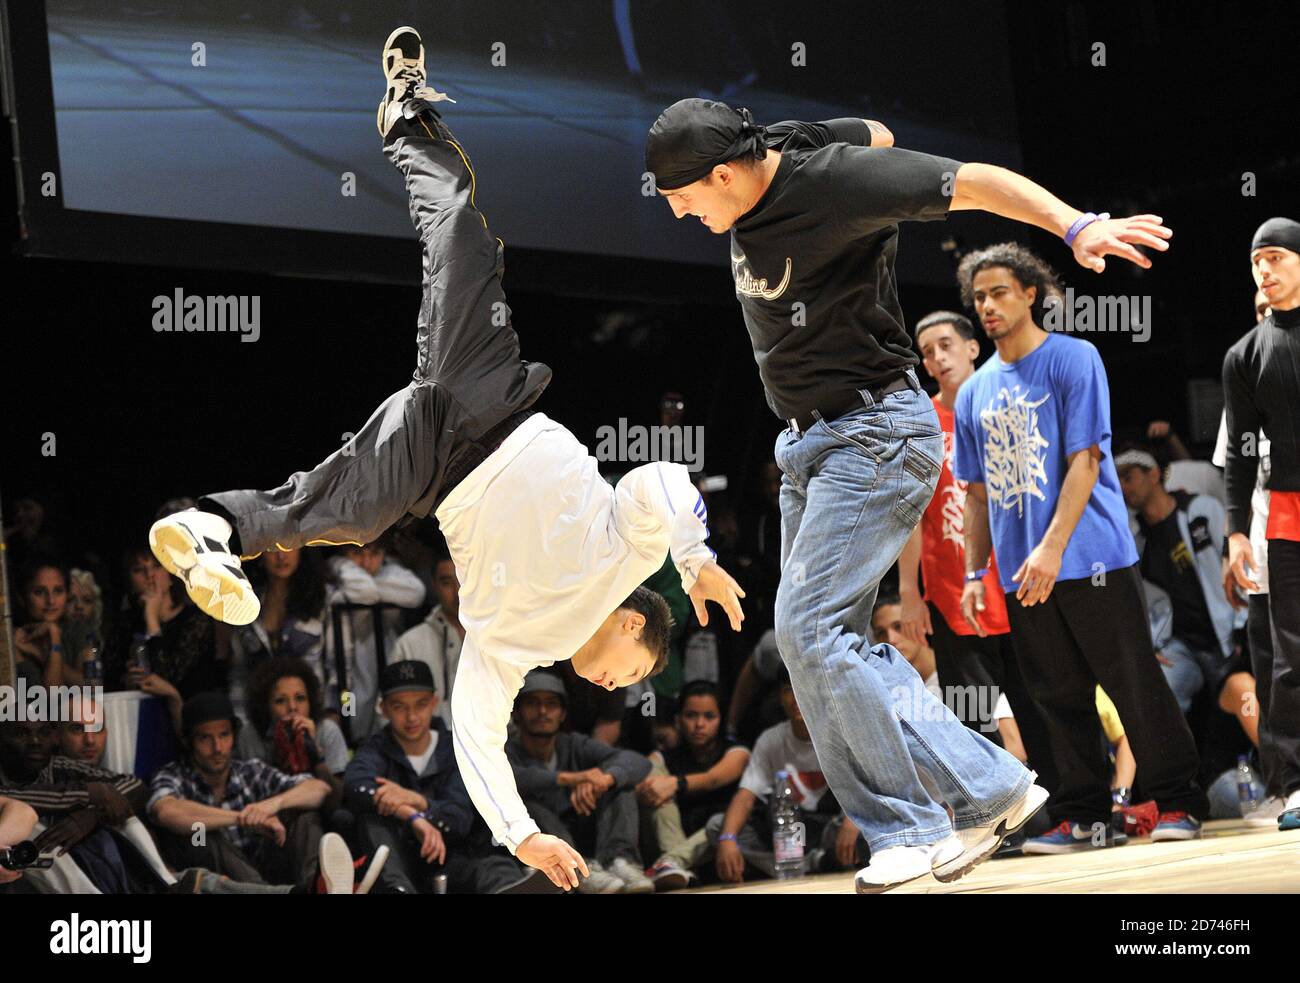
(813, 211)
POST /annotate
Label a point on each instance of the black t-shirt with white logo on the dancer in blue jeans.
(814, 262)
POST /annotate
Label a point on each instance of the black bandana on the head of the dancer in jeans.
(695, 136)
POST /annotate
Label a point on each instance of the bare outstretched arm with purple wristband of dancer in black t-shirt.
(993, 189)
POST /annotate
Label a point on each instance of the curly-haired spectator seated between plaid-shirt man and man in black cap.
(288, 730)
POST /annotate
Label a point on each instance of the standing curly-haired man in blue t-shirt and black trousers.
(1033, 439)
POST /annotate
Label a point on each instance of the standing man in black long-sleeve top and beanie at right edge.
(1262, 391)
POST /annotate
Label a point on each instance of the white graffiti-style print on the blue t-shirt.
(1015, 460)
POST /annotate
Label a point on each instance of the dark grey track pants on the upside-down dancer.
(469, 376)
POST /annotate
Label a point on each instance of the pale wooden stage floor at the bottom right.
(1230, 859)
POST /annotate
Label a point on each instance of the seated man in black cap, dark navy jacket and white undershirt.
(406, 794)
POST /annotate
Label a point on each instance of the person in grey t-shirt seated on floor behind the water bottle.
(744, 834)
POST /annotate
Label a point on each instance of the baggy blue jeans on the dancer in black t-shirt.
(852, 492)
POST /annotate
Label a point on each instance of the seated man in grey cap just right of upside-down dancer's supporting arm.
(579, 789)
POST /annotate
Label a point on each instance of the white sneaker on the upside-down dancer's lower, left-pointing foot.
(196, 547)
